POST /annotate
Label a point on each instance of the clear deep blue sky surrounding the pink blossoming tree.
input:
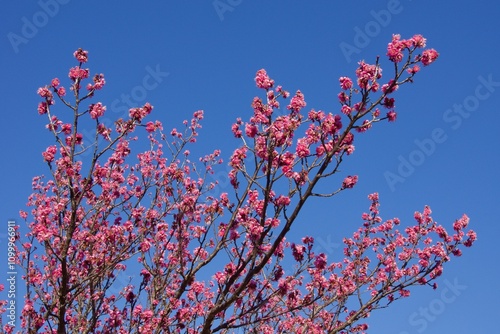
(205, 54)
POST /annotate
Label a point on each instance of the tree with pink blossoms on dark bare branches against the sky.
(216, 264)
